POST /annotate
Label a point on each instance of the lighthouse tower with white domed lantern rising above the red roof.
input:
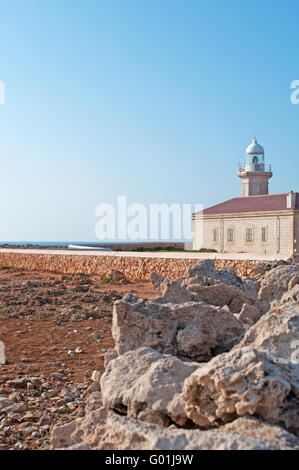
(255, 174)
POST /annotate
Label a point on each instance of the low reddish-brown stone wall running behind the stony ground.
(134, 268)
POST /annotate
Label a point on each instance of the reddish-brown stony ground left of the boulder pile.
(56, 330)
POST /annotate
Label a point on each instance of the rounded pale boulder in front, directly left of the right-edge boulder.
(147, 386)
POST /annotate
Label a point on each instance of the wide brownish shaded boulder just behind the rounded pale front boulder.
(192, 330)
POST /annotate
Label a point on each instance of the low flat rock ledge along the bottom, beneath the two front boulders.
(104, 430)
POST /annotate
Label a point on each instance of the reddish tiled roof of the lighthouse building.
(269, 202)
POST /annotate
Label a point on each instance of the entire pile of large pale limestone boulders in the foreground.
(211, 363)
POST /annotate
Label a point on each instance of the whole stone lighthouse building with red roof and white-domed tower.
(256, 222)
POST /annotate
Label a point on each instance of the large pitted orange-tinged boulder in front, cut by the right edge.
(244, 381)
